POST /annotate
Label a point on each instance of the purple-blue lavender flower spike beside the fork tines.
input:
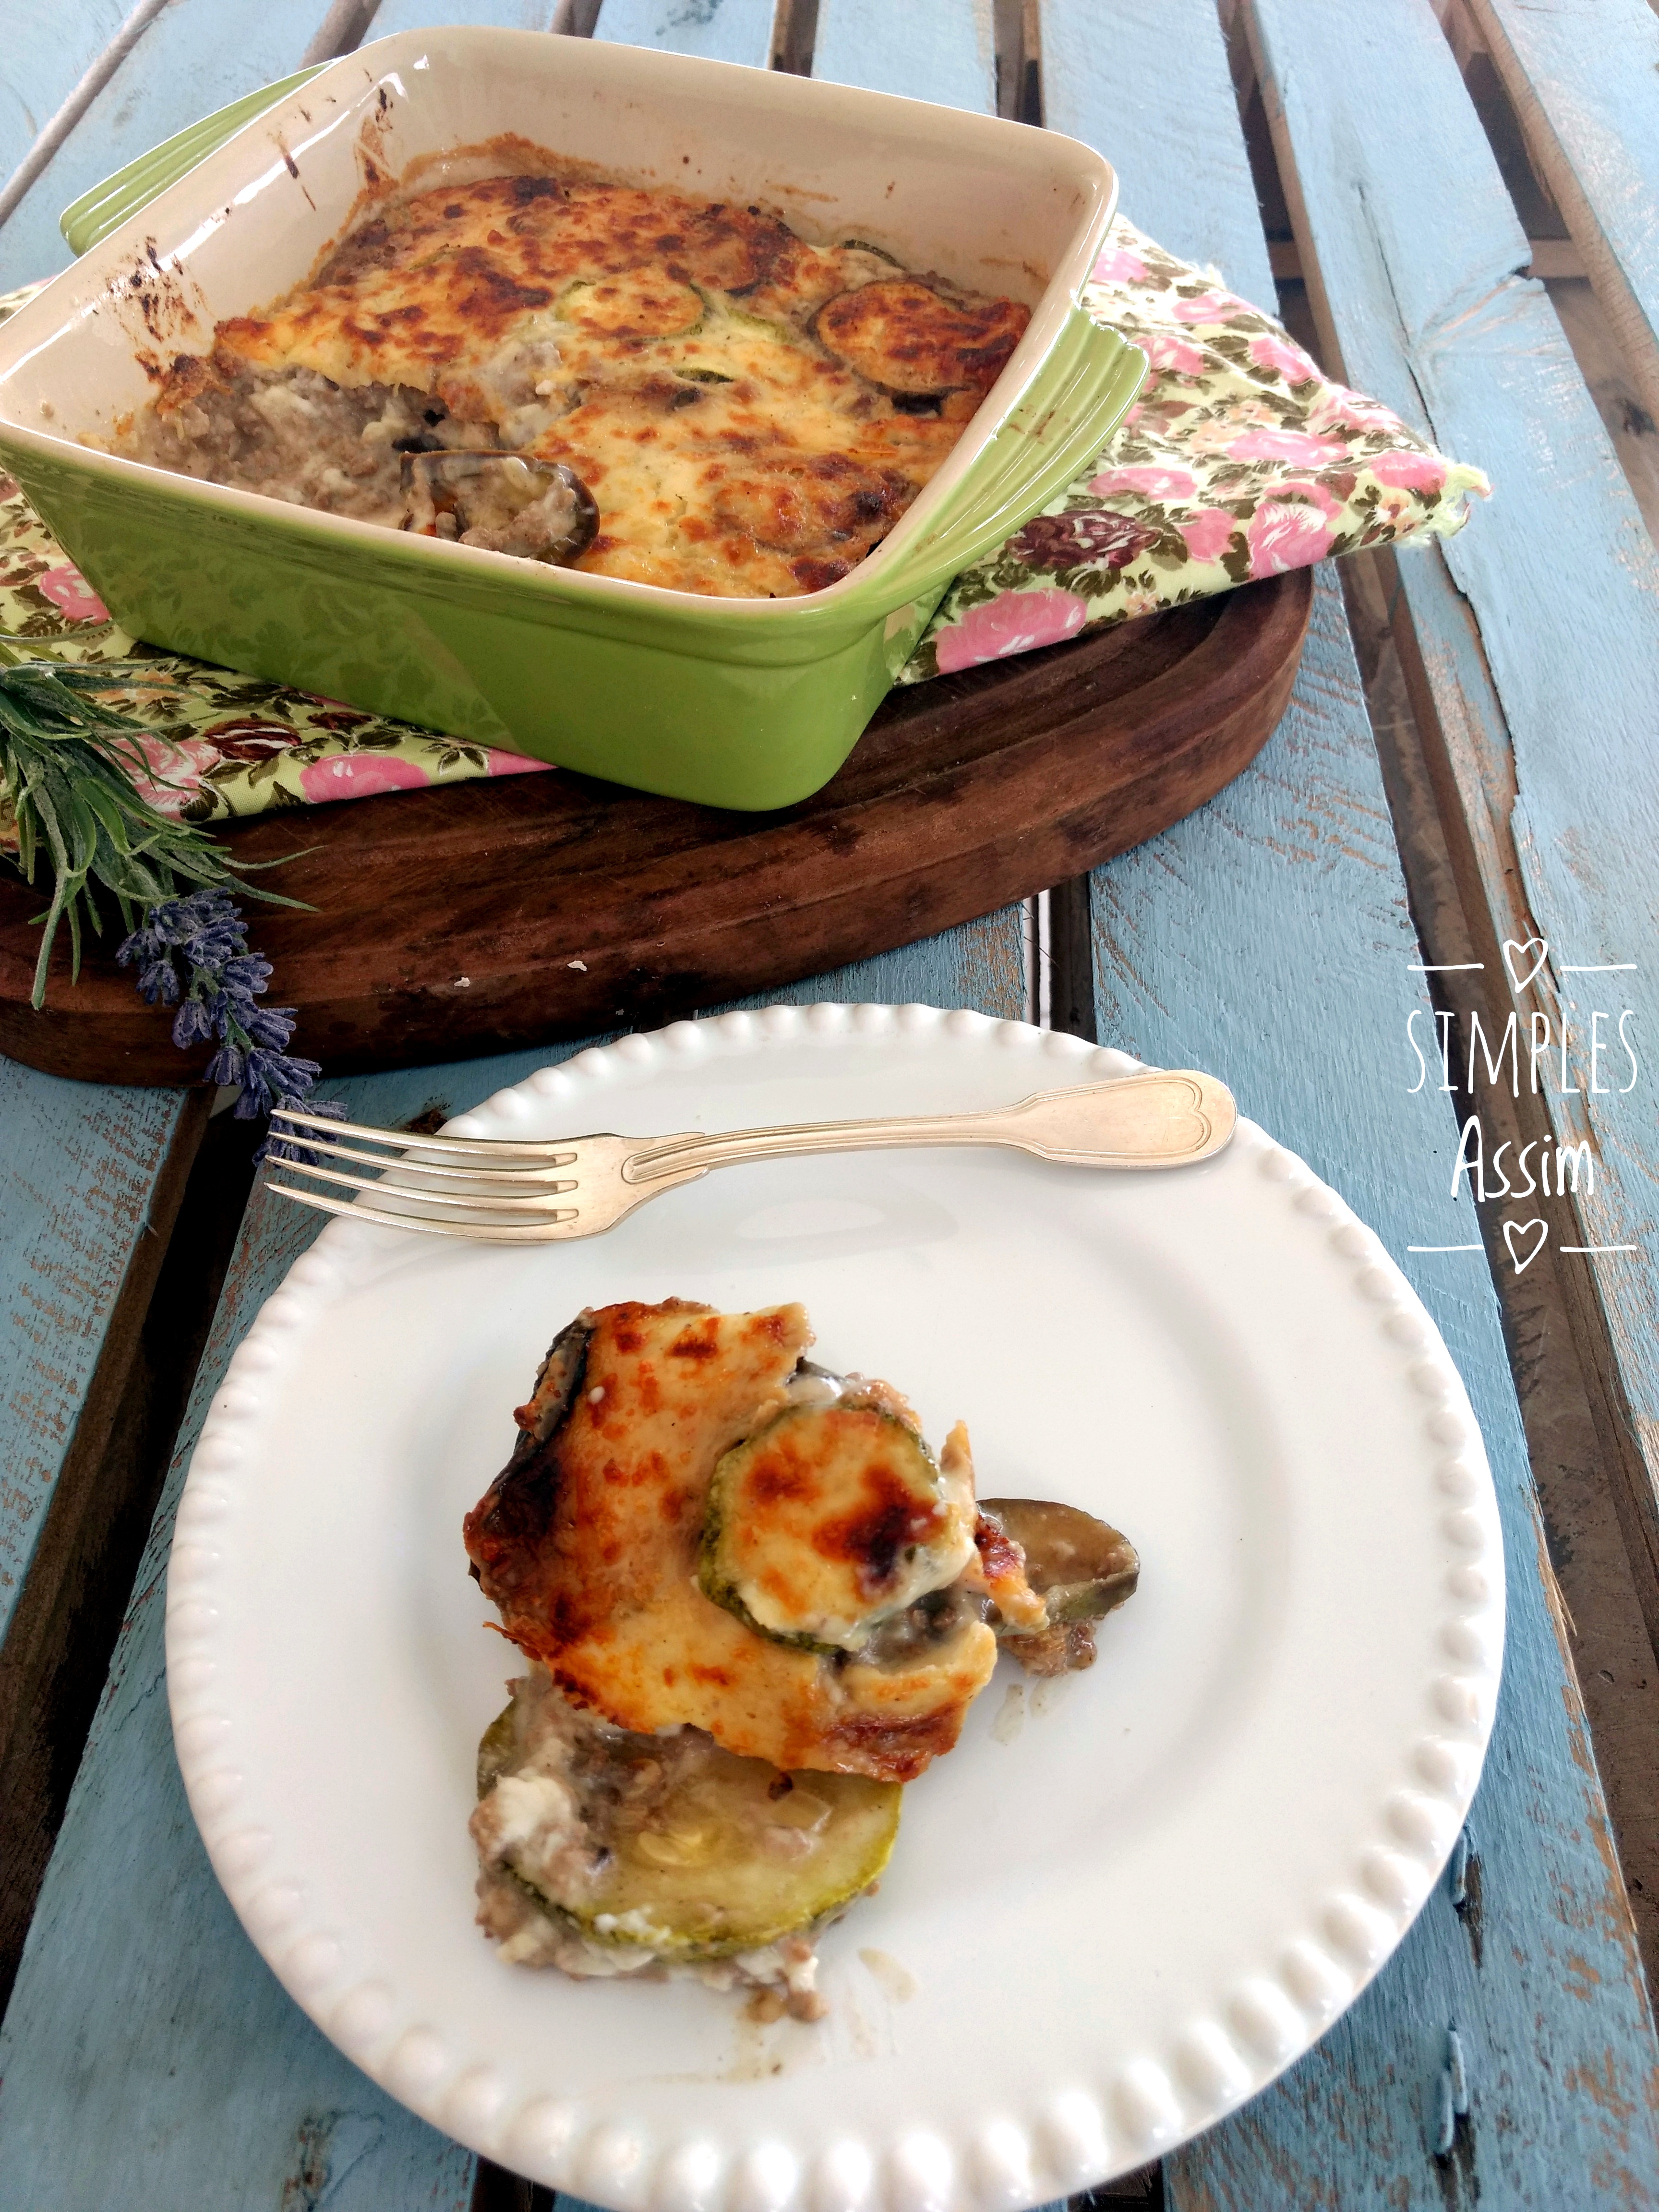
(194, 954)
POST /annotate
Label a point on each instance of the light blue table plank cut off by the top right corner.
(1585, 85)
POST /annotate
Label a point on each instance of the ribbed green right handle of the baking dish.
(1050, 437)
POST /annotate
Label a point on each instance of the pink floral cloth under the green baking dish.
(1238, 461)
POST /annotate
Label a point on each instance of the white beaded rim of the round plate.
(1078, 2138)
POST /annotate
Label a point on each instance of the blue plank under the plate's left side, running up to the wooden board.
(147, 2049)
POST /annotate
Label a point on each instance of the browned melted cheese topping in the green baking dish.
(744, 426)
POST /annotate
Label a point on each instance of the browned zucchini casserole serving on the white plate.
(755, 1607)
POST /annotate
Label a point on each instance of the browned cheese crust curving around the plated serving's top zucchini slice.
(589, 1547)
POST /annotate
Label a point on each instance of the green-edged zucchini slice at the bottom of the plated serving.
(669, 1846)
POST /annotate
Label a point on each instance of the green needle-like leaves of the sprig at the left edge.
(67, 769)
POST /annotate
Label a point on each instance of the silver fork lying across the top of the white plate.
(499, 1191)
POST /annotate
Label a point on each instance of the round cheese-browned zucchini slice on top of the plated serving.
(831, 1521)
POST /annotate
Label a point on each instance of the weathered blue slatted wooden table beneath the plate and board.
(1507, 2054)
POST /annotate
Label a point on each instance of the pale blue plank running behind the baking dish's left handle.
(194, 59)
